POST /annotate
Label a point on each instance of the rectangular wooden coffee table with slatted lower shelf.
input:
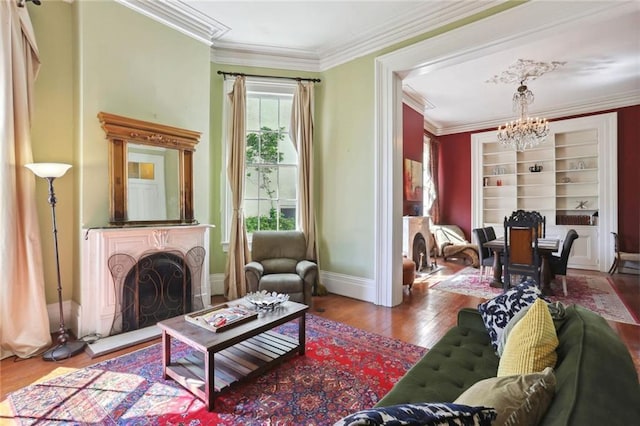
(226, 357)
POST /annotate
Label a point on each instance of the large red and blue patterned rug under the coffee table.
(344, 370)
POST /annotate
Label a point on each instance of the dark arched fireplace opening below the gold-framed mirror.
(159, 287)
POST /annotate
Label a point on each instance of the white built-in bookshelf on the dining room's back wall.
(570, 179)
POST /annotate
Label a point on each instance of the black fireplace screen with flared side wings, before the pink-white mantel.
(159, 285)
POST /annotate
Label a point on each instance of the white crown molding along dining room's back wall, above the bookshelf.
(593, 106)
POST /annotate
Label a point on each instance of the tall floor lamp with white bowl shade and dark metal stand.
(64, 349)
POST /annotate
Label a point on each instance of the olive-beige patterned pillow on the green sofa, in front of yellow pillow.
(519, 399)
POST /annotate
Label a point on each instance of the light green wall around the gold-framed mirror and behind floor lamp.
(102, 56)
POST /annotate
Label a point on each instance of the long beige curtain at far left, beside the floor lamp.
(24, 324)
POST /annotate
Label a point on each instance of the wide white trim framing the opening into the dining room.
(474, 40)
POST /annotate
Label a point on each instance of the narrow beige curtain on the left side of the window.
(234, 282)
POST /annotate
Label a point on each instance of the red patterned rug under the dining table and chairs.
(593, 292)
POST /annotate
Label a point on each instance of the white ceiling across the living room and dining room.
(601, 51)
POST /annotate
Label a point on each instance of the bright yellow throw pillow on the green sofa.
(531, 345)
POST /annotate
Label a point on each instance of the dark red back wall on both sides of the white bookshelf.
(455, 178)
